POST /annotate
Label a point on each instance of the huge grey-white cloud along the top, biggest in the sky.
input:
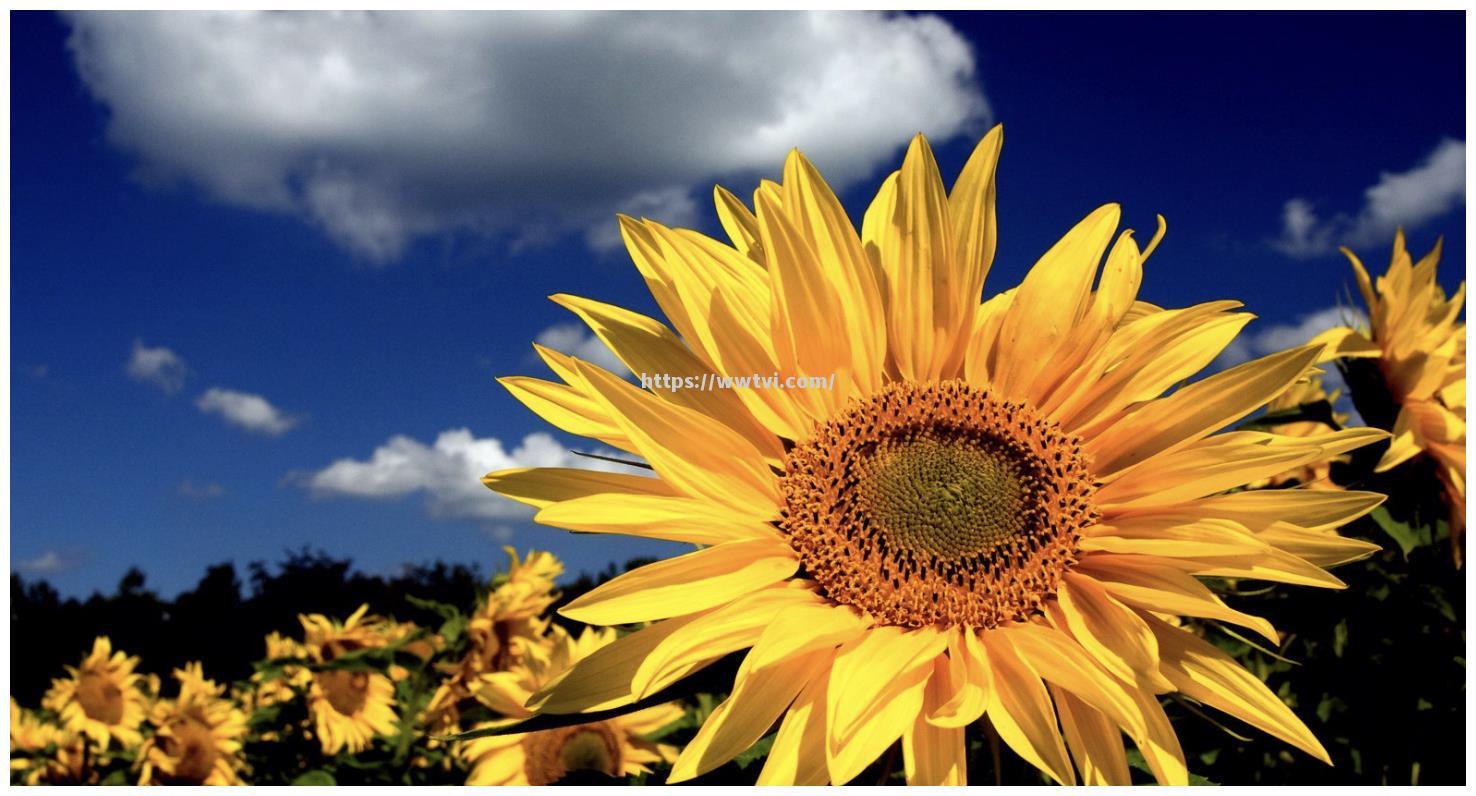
(386, 128)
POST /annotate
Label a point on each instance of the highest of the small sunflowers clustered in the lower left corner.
(103, 699)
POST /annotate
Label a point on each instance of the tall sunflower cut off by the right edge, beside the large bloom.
(1419, 342)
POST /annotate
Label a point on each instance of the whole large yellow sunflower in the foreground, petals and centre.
(990, 515)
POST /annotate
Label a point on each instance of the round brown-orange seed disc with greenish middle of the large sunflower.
(938, 506)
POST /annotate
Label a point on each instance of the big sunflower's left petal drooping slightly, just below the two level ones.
(686, 584)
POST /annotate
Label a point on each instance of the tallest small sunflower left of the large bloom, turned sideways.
(507, 630)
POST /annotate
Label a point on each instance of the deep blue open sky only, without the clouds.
(1217, 122)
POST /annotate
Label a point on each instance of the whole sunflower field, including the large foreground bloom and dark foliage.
(1022, 541)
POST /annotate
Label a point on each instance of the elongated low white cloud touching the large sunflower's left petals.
(448, 472)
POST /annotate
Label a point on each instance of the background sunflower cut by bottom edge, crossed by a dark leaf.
(616, 748)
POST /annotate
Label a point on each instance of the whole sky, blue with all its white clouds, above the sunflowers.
(261, 267)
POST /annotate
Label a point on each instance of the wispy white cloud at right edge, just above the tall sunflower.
(1404, 200)
